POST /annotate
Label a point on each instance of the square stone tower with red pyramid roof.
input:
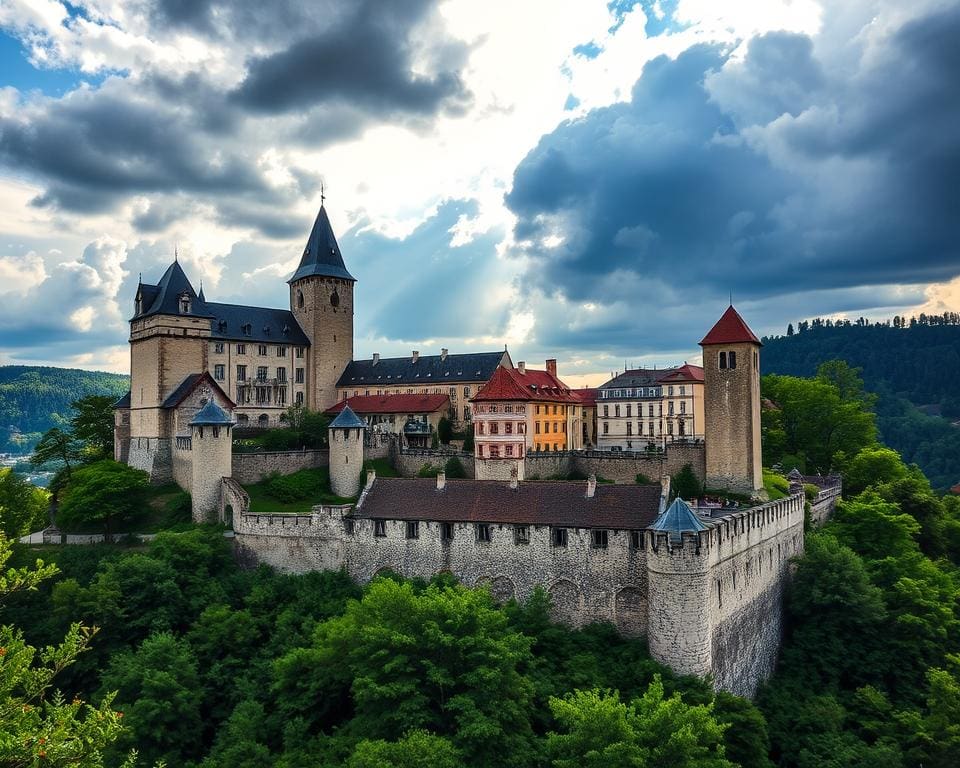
(731, 370)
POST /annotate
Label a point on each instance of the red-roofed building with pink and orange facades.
(522, 410)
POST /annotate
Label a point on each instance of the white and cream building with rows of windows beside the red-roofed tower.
(645, 408)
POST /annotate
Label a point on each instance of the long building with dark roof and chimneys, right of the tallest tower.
(459, 377)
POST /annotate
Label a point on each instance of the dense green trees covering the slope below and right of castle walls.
(197, 662)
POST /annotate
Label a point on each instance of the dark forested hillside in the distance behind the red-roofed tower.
(913, 365)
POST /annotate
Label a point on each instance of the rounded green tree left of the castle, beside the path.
(102, 492)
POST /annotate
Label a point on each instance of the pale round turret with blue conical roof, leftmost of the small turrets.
(211, 456)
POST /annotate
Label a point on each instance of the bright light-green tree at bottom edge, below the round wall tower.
(597, 730)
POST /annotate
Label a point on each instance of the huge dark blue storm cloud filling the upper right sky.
(767, 177)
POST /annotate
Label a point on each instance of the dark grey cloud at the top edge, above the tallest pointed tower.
(365, 57)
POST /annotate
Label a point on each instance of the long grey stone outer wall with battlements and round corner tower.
(710, 602)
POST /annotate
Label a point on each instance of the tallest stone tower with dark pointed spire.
(321, 298)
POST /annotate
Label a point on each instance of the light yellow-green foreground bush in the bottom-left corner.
(38, 726)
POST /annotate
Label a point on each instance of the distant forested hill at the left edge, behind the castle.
(33, 399)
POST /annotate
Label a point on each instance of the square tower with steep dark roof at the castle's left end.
(169, 340)
